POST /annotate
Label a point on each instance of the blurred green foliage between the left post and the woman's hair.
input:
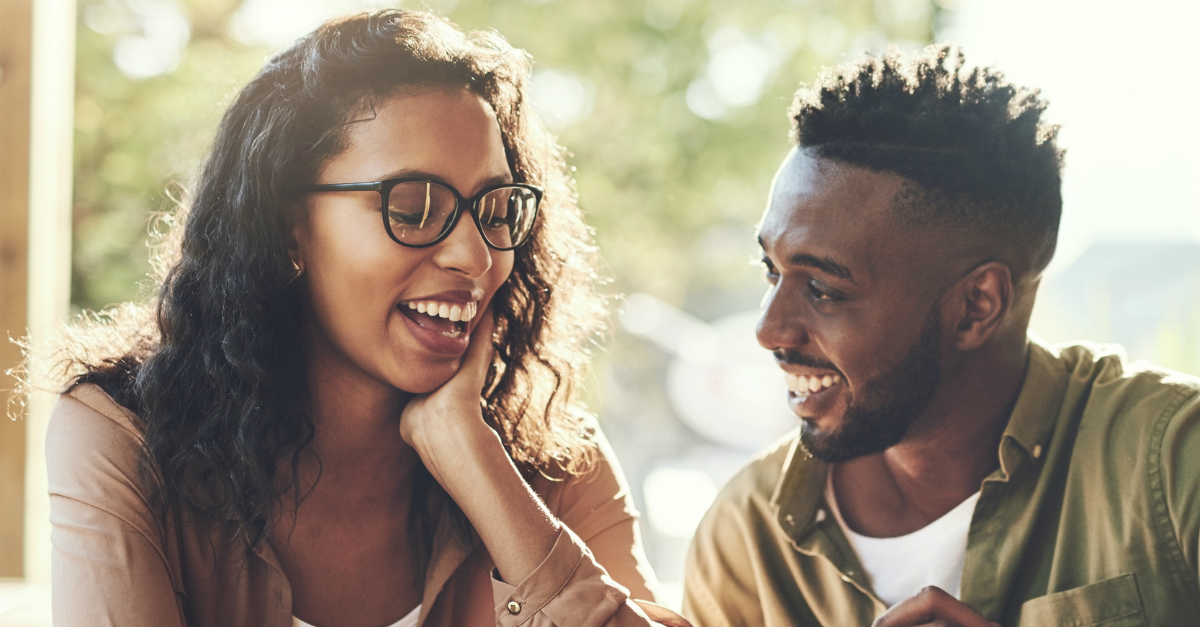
(139, 144)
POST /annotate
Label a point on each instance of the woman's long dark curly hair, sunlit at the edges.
(215, 367)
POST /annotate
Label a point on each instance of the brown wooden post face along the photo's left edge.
(16, 39)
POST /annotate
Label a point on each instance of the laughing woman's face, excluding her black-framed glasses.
(363, 288)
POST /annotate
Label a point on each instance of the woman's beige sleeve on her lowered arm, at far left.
(110, 562)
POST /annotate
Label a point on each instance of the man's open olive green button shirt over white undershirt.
(1093, 517)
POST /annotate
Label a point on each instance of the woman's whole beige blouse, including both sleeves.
(117, 564)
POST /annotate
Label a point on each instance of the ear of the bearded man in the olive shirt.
(979, 304)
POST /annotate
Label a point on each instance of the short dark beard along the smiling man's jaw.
(889, 404)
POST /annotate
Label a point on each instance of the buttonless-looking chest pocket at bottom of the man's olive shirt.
(1111, 604)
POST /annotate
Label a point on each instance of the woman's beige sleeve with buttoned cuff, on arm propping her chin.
(597, 574)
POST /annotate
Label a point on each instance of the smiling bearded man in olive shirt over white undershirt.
(947, 467)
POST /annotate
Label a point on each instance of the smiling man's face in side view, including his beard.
(853, 313)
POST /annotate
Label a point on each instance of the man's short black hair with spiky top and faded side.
(975, 145)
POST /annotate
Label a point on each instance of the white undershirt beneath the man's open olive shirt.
(899, 568)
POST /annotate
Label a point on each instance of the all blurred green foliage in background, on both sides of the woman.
(674, 196)
